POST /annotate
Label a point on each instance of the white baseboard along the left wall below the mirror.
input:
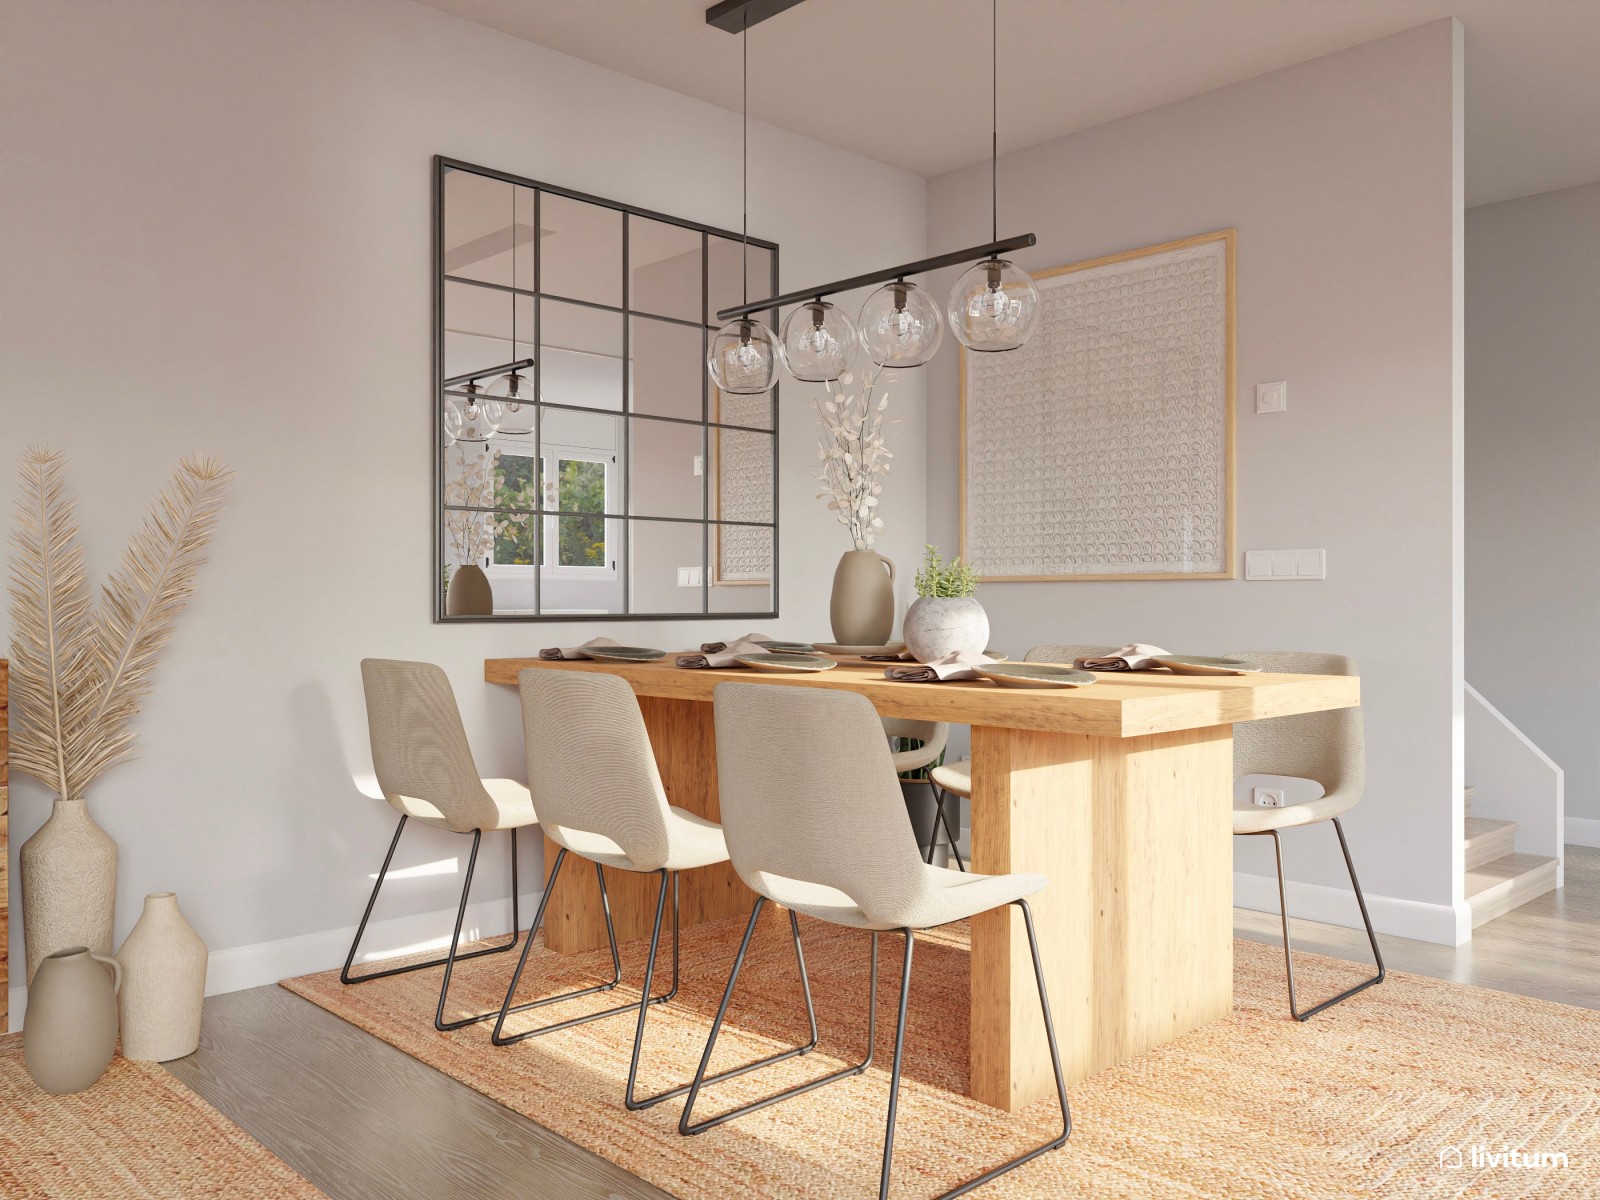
(241, 967)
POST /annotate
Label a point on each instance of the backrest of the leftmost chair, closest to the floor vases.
(420, 746)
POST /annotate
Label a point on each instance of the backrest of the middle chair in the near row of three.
(590, 761)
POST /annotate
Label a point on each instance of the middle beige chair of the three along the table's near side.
(599, 796)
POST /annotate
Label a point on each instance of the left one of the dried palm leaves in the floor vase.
(54, 668)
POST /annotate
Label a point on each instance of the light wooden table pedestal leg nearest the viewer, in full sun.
(1137, 927)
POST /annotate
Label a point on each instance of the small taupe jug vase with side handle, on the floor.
(71, 1028)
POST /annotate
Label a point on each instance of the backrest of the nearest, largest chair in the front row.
(809, 793)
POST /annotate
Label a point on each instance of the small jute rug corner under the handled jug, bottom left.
(137, 1135)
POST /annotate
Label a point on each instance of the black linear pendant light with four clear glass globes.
(993, 308)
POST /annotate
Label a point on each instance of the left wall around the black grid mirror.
(217, 239)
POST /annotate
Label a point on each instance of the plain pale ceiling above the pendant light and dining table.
(906, 82)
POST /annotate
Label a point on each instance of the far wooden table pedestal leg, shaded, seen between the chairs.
(686, 743)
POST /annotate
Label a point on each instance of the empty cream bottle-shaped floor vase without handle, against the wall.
(164, 983)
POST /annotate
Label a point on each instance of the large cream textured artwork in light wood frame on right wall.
(1102, 449)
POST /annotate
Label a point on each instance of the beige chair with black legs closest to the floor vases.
(425, 769)
